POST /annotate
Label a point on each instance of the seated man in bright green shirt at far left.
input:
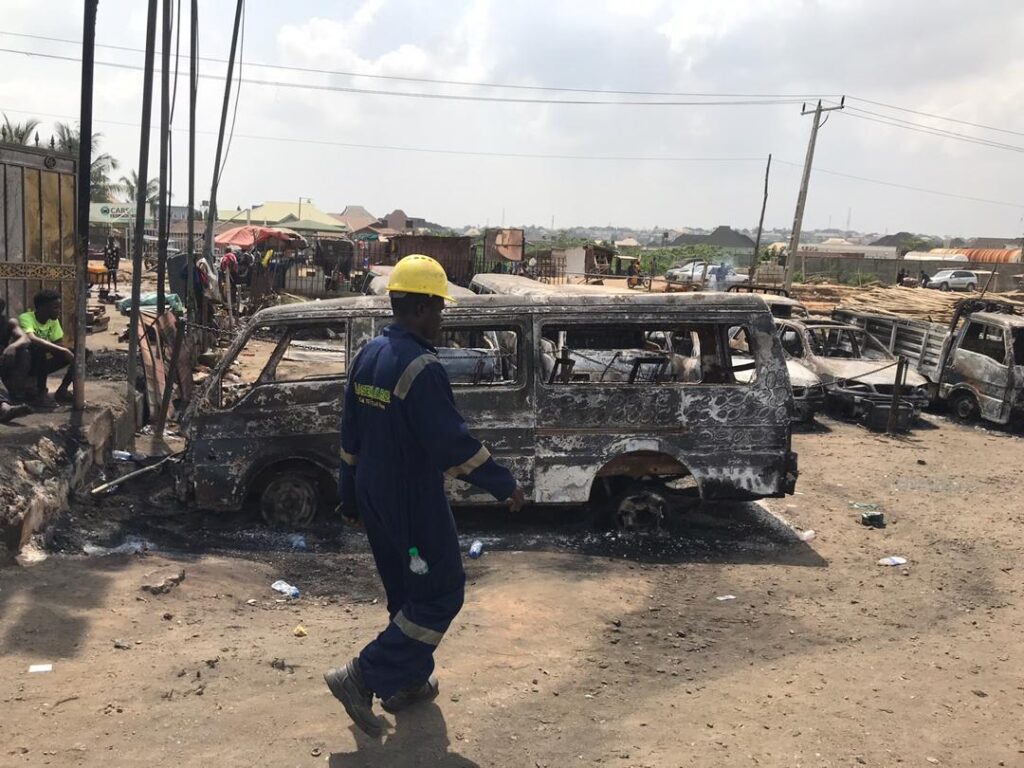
(46, 355)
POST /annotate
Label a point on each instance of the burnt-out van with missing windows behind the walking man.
(625, 403)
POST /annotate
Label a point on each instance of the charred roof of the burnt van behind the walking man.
(677, 302)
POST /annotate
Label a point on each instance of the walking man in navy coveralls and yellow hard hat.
(401, 434)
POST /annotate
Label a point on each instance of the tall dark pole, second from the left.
(141, 204)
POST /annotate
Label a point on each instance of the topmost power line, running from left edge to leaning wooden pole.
(465, 83)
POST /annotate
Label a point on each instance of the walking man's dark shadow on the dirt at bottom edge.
(420, 739)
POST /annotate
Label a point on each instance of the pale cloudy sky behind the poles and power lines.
(667, 166)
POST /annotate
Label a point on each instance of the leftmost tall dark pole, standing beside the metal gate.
(84, 192)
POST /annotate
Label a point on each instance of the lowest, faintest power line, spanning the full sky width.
(540, 156)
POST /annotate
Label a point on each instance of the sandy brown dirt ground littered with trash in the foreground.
(573, 649)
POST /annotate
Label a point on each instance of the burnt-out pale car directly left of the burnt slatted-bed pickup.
(857, 371)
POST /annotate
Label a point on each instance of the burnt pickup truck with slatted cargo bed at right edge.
(975, 364)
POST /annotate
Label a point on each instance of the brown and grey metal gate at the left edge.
(37, 229)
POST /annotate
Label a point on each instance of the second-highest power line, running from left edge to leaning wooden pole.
(447, 97)
